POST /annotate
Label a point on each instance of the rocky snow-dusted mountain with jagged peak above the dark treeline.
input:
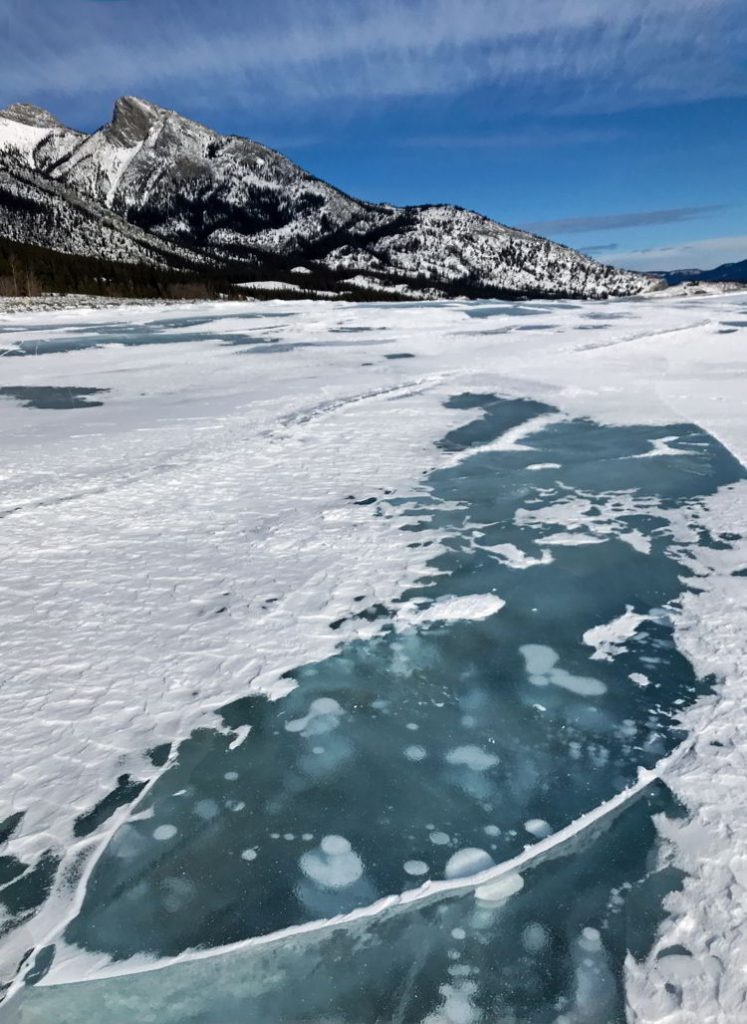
(154, 189)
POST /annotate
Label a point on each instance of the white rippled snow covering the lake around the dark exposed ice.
(210, 479)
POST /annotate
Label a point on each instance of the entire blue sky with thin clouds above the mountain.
(615, 126)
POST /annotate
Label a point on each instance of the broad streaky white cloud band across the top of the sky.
(582, 55)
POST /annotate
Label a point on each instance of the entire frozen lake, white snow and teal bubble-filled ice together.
(375, 664)
